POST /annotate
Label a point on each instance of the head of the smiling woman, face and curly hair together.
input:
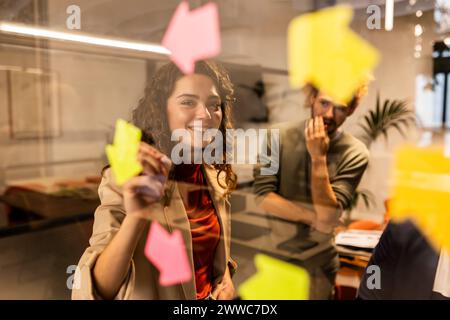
(173, 101)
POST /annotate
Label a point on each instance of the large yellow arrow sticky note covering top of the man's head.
(324, 51)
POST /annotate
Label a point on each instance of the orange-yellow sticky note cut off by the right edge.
(421, 191)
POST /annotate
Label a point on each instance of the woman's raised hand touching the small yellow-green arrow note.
(141, 192)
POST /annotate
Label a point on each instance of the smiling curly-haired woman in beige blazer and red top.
(190, 198)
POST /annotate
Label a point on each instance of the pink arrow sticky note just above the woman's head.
(193, 36)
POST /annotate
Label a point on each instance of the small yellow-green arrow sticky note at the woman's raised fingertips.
(122, 155)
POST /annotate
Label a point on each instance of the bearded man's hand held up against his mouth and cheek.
(317, 140)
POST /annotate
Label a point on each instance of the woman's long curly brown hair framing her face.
(150, 115)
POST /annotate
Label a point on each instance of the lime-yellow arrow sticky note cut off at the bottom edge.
(275, 280)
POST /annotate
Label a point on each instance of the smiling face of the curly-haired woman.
(195, 106)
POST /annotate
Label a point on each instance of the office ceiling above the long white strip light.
(147, 19)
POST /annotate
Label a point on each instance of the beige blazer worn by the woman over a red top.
(142, 279)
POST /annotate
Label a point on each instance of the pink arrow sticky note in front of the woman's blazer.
(167, 252)
